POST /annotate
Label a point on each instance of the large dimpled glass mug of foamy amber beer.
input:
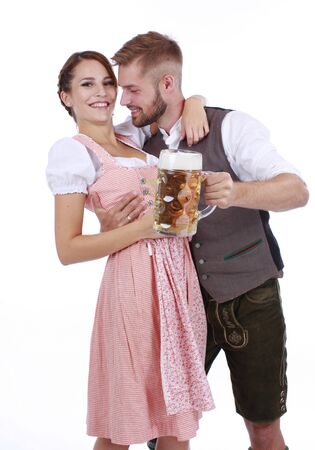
(178, 192)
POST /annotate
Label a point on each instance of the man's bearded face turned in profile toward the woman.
(141, 95)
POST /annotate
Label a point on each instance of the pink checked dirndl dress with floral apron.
(146, 376)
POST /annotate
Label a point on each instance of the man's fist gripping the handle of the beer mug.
(219, 189)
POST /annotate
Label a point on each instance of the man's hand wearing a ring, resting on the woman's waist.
(126, 210)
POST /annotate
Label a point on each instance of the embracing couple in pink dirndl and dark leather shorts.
(167, 306)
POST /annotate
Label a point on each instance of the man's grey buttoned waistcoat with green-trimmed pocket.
(234, 249)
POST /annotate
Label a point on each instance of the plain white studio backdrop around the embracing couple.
(251, 55)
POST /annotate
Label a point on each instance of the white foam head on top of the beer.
(179, 160)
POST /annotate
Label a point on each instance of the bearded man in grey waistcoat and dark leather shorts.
(236, 255)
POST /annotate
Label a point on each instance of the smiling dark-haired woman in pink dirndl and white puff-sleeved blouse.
(146, 376)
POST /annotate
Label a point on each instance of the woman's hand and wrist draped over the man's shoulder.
(194, 123)
